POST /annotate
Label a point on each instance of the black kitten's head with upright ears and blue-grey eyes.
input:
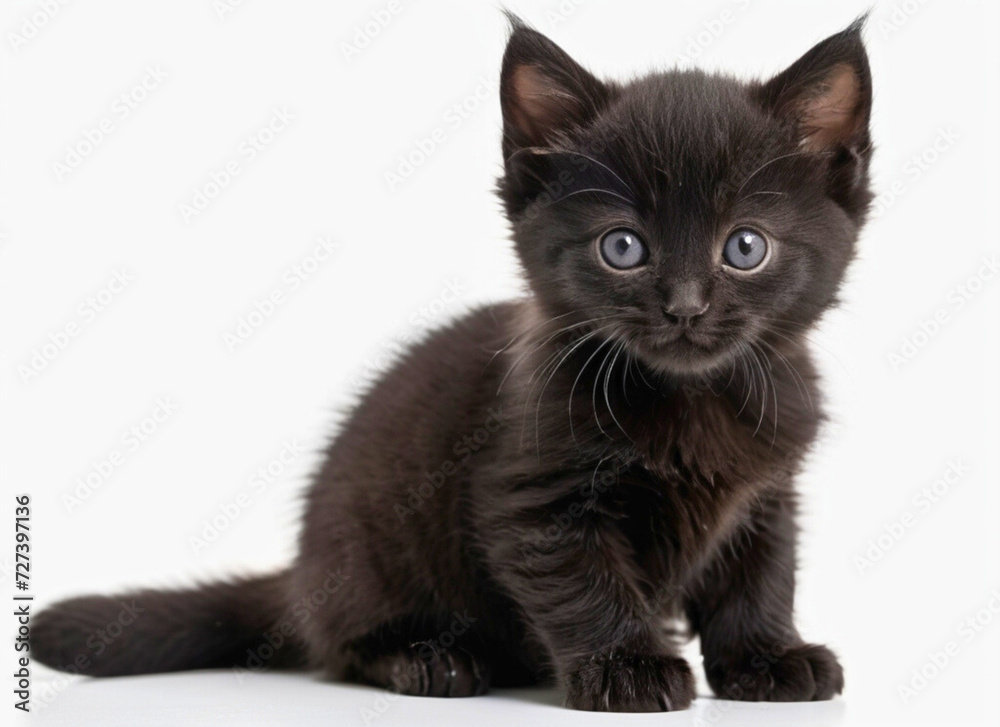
(689, 214)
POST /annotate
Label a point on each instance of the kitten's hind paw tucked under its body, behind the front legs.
(424, 662)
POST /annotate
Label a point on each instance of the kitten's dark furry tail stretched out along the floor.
(219, 625)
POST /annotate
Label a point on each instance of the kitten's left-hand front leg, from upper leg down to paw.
(571, 572)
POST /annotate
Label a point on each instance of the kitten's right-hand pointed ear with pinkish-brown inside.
(827, 94)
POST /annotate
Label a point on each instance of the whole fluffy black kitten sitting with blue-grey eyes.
(531, 492)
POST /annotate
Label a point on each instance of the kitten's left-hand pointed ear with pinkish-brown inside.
(542, 90)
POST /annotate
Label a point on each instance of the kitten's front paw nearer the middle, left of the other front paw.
(631, 684)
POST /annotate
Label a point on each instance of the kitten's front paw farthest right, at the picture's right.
(803, 673)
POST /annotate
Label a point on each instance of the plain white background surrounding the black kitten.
(894, 428)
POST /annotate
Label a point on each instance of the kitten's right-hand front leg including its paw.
(742, 610)
